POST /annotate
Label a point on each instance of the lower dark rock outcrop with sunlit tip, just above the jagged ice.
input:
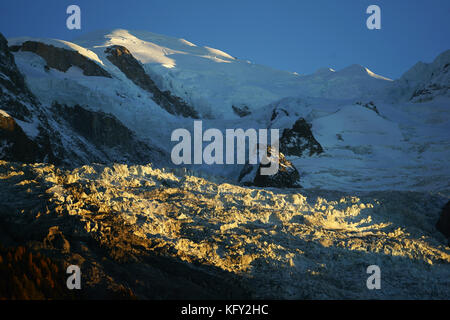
(286, 177)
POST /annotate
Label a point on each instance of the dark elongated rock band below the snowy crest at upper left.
(62, 59)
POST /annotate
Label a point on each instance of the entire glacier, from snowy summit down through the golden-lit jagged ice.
(372, 195)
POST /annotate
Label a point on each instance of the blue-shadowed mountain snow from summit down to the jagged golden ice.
(402, 148)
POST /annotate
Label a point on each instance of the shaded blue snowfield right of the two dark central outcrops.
(397, 149)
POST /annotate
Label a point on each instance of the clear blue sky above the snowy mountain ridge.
(292, 35)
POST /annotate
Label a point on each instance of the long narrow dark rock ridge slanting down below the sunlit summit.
(122, 58)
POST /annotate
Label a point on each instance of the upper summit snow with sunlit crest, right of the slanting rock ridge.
(213, 80)
